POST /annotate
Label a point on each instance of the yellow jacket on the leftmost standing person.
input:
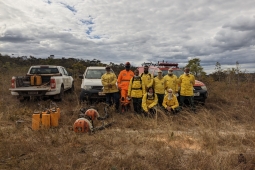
(109, 79)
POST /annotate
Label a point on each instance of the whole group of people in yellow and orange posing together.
(146, 91)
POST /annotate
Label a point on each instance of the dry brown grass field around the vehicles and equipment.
(220, 136)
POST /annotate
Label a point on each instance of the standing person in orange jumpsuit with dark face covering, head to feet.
(123, 83)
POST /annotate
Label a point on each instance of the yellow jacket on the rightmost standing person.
(186, 82)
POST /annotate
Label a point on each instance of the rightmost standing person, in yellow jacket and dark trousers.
(187, 82)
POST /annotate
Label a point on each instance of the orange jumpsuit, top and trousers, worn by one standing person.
(123, 83)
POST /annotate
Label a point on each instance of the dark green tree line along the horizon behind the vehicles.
(78, 66)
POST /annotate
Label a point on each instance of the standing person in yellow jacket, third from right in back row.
(159, 86)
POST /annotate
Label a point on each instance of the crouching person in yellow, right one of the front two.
(170, 102)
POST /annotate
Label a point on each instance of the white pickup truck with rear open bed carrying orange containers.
(41, 81)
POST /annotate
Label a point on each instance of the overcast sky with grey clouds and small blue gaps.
(132, 30)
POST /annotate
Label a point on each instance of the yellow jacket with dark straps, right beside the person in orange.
(136, 87)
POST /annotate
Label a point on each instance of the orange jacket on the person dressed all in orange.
(124, 79)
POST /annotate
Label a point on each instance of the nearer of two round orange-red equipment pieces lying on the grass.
(82, 125)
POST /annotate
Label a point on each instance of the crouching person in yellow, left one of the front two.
(149, 101)
